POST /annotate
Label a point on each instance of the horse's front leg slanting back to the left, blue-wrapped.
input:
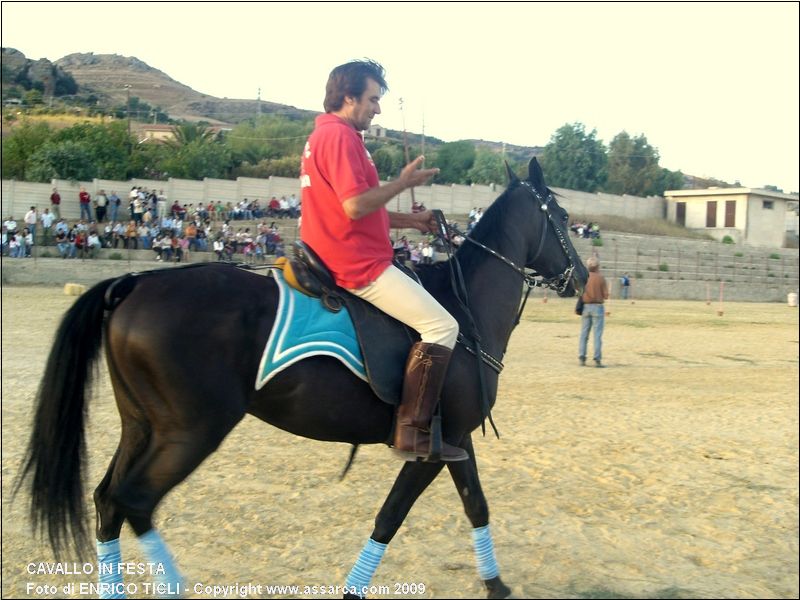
(410, 483)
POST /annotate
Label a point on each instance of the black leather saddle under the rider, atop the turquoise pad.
(384, 341)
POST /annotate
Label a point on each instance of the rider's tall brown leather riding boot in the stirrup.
(425, 371)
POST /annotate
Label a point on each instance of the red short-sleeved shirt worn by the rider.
(336, 166)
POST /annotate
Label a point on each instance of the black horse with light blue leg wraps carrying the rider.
(175, 415)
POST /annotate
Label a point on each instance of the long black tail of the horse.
(57, 449)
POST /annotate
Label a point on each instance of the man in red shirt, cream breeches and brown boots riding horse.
(345, 222)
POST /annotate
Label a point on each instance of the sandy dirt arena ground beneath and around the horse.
(672, 473)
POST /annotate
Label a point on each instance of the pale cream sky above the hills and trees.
(712, 86)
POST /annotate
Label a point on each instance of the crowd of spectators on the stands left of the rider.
(149, 222)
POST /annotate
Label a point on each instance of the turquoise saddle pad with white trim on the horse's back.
(304, 328)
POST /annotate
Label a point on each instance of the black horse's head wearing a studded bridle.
(549, 250)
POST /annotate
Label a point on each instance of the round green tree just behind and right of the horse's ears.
(574, 159)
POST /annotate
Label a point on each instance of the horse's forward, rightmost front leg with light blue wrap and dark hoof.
(465, 476)
